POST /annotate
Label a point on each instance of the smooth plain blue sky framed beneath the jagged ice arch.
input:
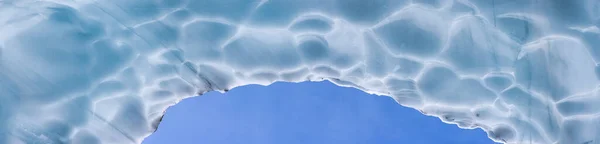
(303, 113)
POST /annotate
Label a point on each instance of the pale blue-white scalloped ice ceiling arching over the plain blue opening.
(103, 71)
